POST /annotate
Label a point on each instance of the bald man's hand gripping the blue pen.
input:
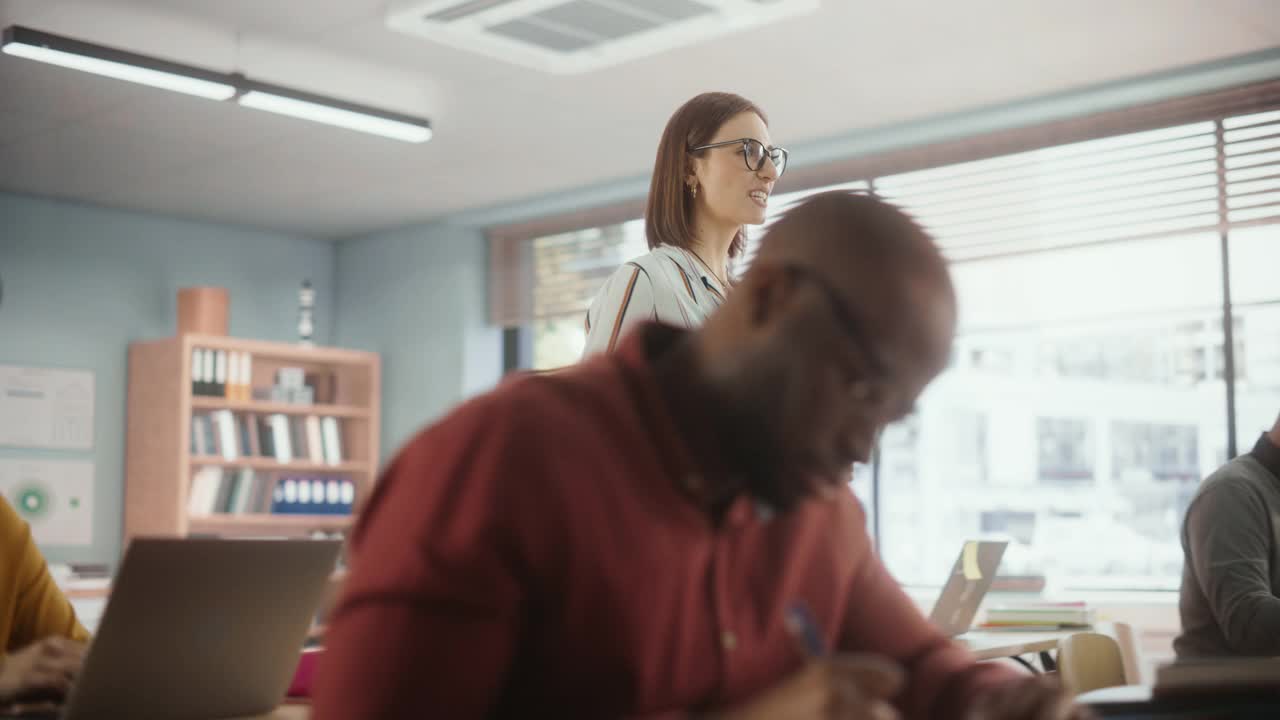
(845, 687)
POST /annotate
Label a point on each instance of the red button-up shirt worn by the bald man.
(533, 555)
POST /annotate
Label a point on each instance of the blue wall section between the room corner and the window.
(418, 297)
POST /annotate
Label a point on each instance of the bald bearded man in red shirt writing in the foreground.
(630, 537)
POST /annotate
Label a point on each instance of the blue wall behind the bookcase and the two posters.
(81, 284)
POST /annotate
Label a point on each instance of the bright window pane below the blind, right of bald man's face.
(1064, 353)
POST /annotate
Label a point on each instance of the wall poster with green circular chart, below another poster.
(56, 498)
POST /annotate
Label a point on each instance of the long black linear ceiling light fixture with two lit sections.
(111, 62)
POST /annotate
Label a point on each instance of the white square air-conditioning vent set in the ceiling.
(574, 37)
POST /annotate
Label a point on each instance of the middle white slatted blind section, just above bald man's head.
(1131, 186)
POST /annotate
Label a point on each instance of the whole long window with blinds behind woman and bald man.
(1087, 393)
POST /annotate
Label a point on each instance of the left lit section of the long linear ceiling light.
(40, 47)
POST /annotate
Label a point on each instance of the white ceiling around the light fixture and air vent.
(505, 134)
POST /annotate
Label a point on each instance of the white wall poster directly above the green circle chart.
(47, 408)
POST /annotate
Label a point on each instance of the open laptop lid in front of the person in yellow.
(202, 628)
